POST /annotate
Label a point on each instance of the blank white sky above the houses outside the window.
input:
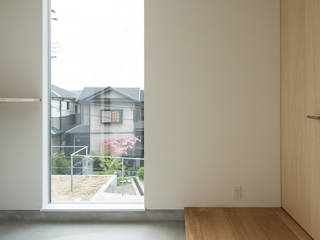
(97, 43)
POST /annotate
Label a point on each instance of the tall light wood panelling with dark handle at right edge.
(300, 96)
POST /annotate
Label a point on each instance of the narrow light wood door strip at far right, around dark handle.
(313, 74)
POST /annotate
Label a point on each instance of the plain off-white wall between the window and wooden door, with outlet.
(212, 101)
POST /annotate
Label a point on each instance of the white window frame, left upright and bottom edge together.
(47, 204)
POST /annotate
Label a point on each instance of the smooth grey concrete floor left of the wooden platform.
(14, 230)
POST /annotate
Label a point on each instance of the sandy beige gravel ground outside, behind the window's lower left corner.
(84, 187)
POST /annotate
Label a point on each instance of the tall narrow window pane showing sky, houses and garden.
(97, 101)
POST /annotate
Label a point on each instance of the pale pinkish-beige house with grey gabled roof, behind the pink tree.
(107, 113)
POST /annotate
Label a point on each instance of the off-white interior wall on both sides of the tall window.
(212, 103)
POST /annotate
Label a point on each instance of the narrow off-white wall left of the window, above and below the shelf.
(20, 124)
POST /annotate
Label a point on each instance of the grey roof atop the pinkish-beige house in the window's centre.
(89, 92)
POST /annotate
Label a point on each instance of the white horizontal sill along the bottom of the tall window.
(79, 207)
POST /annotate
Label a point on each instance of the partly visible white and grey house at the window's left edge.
(65, 114)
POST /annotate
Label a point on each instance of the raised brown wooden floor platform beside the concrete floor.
(241, 224)
